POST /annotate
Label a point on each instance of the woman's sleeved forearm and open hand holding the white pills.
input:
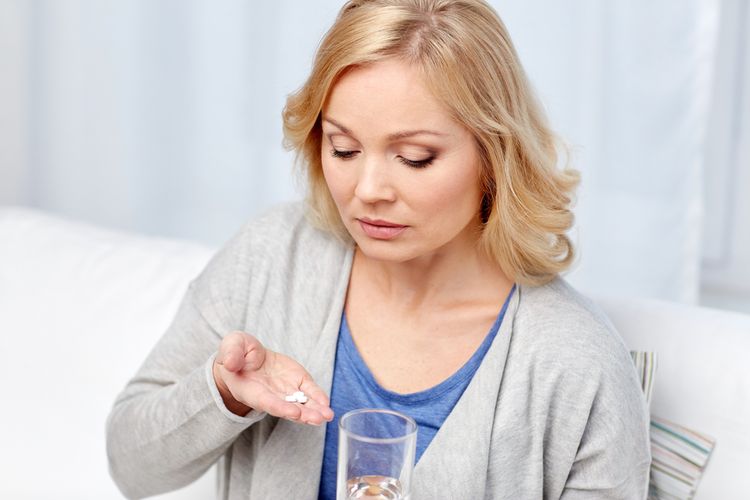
(186, 406)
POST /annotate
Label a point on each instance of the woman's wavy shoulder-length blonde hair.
(469, 63)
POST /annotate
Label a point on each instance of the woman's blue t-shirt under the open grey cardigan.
(355, 387)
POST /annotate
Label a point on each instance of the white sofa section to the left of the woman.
(80, 308)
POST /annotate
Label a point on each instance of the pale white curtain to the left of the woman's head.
(162, 116)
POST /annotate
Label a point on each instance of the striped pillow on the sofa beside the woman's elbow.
(678, 455)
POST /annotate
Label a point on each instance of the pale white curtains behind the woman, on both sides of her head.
(164, 117)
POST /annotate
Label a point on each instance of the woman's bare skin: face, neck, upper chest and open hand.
(422, 296)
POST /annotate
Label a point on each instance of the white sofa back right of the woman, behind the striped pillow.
(703, 379)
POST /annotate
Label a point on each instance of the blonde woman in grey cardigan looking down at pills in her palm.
(422, 275)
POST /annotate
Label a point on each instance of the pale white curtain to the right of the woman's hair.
(628, 84)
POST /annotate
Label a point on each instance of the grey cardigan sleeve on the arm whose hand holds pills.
(169, 424)
